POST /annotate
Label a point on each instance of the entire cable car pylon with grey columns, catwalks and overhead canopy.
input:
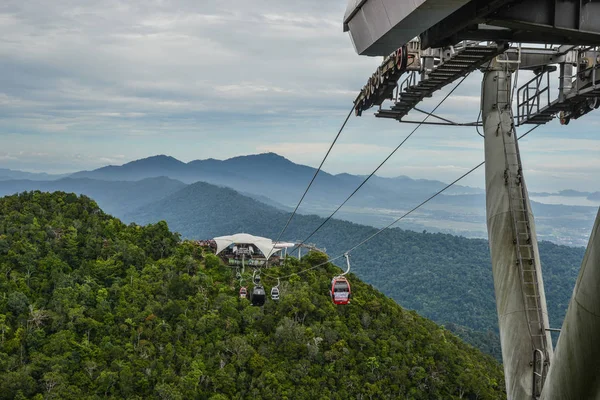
(450, 37)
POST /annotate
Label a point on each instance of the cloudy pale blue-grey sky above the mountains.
(86, 84)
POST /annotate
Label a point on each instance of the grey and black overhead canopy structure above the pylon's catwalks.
(378, 27)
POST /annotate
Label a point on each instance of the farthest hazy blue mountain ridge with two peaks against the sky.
(276, 177)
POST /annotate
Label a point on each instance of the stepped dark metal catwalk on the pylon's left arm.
(455, 63)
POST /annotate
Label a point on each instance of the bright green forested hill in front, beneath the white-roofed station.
(91, 308)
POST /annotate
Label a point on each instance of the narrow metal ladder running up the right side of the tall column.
(525, 261)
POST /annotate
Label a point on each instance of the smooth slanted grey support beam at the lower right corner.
(575, 371)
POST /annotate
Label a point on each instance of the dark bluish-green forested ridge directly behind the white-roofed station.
(445, 278)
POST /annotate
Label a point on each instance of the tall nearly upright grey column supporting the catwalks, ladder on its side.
(501, 164)
